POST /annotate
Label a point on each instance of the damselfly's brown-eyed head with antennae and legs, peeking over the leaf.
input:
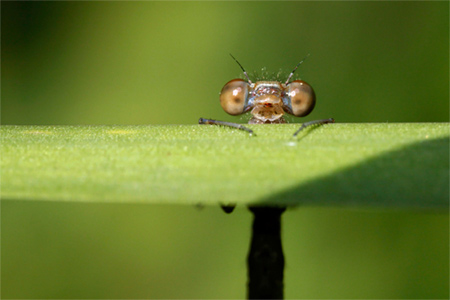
(267, 101)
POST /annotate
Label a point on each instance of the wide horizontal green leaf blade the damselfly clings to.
(399, 165)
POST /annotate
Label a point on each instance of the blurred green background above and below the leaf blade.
(165, 63)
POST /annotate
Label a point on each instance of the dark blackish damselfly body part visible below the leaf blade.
(266, 259)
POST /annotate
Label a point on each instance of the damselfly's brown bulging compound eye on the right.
(302, 96)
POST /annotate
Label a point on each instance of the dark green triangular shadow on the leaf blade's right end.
(416, 176)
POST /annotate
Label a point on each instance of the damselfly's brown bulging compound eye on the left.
(233, 96)
